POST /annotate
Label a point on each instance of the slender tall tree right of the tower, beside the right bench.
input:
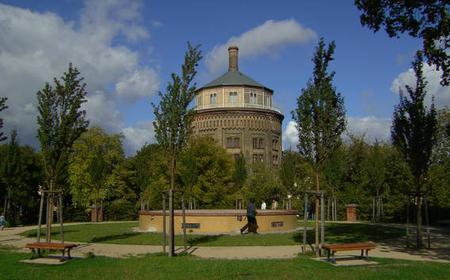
(320, 117)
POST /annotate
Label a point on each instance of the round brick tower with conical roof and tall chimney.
(238, 113)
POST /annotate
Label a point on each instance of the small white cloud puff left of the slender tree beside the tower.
(140, 83)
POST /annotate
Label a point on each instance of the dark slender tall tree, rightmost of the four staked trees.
(413, 132)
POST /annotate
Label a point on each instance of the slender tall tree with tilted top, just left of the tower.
(173, 121)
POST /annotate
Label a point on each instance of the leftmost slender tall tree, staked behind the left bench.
(60, 122)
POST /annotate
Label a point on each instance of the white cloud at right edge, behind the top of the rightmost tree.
(441, 94)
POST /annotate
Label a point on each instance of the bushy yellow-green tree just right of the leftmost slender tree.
(95, 156)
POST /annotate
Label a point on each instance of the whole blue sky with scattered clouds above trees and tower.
(127, 50)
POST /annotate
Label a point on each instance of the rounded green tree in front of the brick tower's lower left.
(206, 170)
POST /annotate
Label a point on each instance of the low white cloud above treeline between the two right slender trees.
(371, 127)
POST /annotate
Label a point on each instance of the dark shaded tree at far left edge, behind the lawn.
(20, 173)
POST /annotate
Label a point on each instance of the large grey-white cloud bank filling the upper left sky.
(35, 47)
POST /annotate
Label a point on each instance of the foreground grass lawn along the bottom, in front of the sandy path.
(187, 267)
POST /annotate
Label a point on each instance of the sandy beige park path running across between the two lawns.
(10, 237)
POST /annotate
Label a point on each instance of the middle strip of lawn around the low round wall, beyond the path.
(121, 233)
